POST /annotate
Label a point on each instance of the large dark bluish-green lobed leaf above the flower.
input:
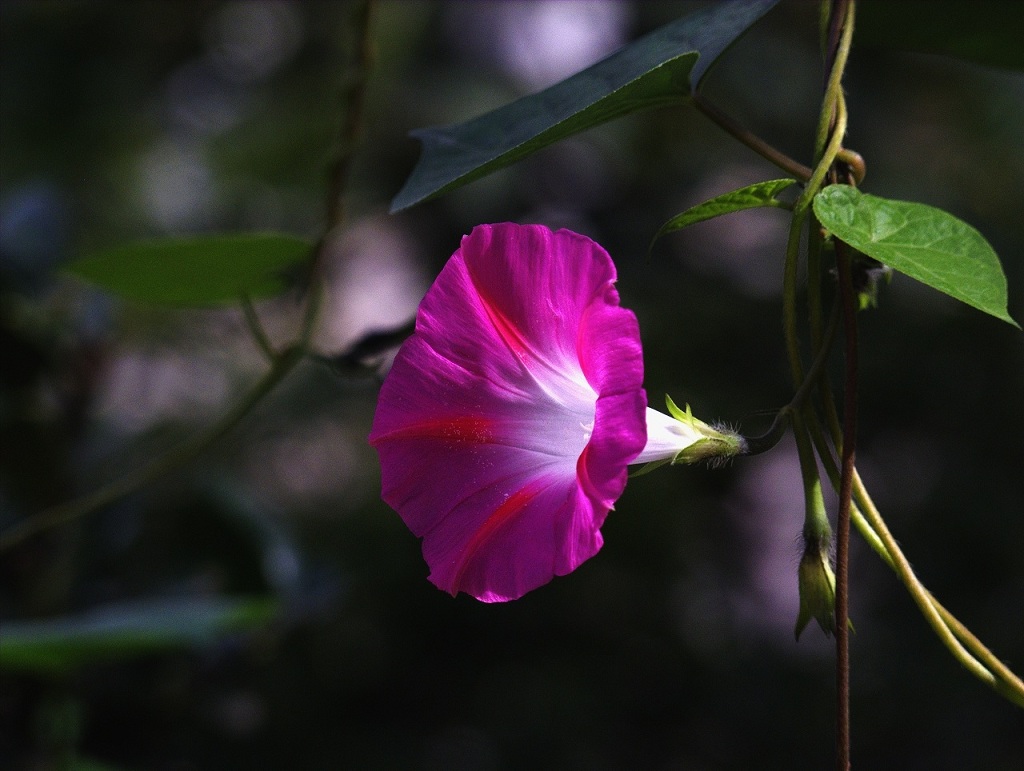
(658, 70)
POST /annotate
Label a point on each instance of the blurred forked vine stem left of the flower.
(281, 364)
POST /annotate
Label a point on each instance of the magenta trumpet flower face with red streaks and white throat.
(508, 419)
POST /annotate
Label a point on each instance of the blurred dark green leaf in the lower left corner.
(126, 630)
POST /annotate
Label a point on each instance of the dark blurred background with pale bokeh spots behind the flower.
(671, 650)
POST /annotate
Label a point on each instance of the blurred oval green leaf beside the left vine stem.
(197, 272)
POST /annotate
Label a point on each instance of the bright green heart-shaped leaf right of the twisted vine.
(922, 242)
